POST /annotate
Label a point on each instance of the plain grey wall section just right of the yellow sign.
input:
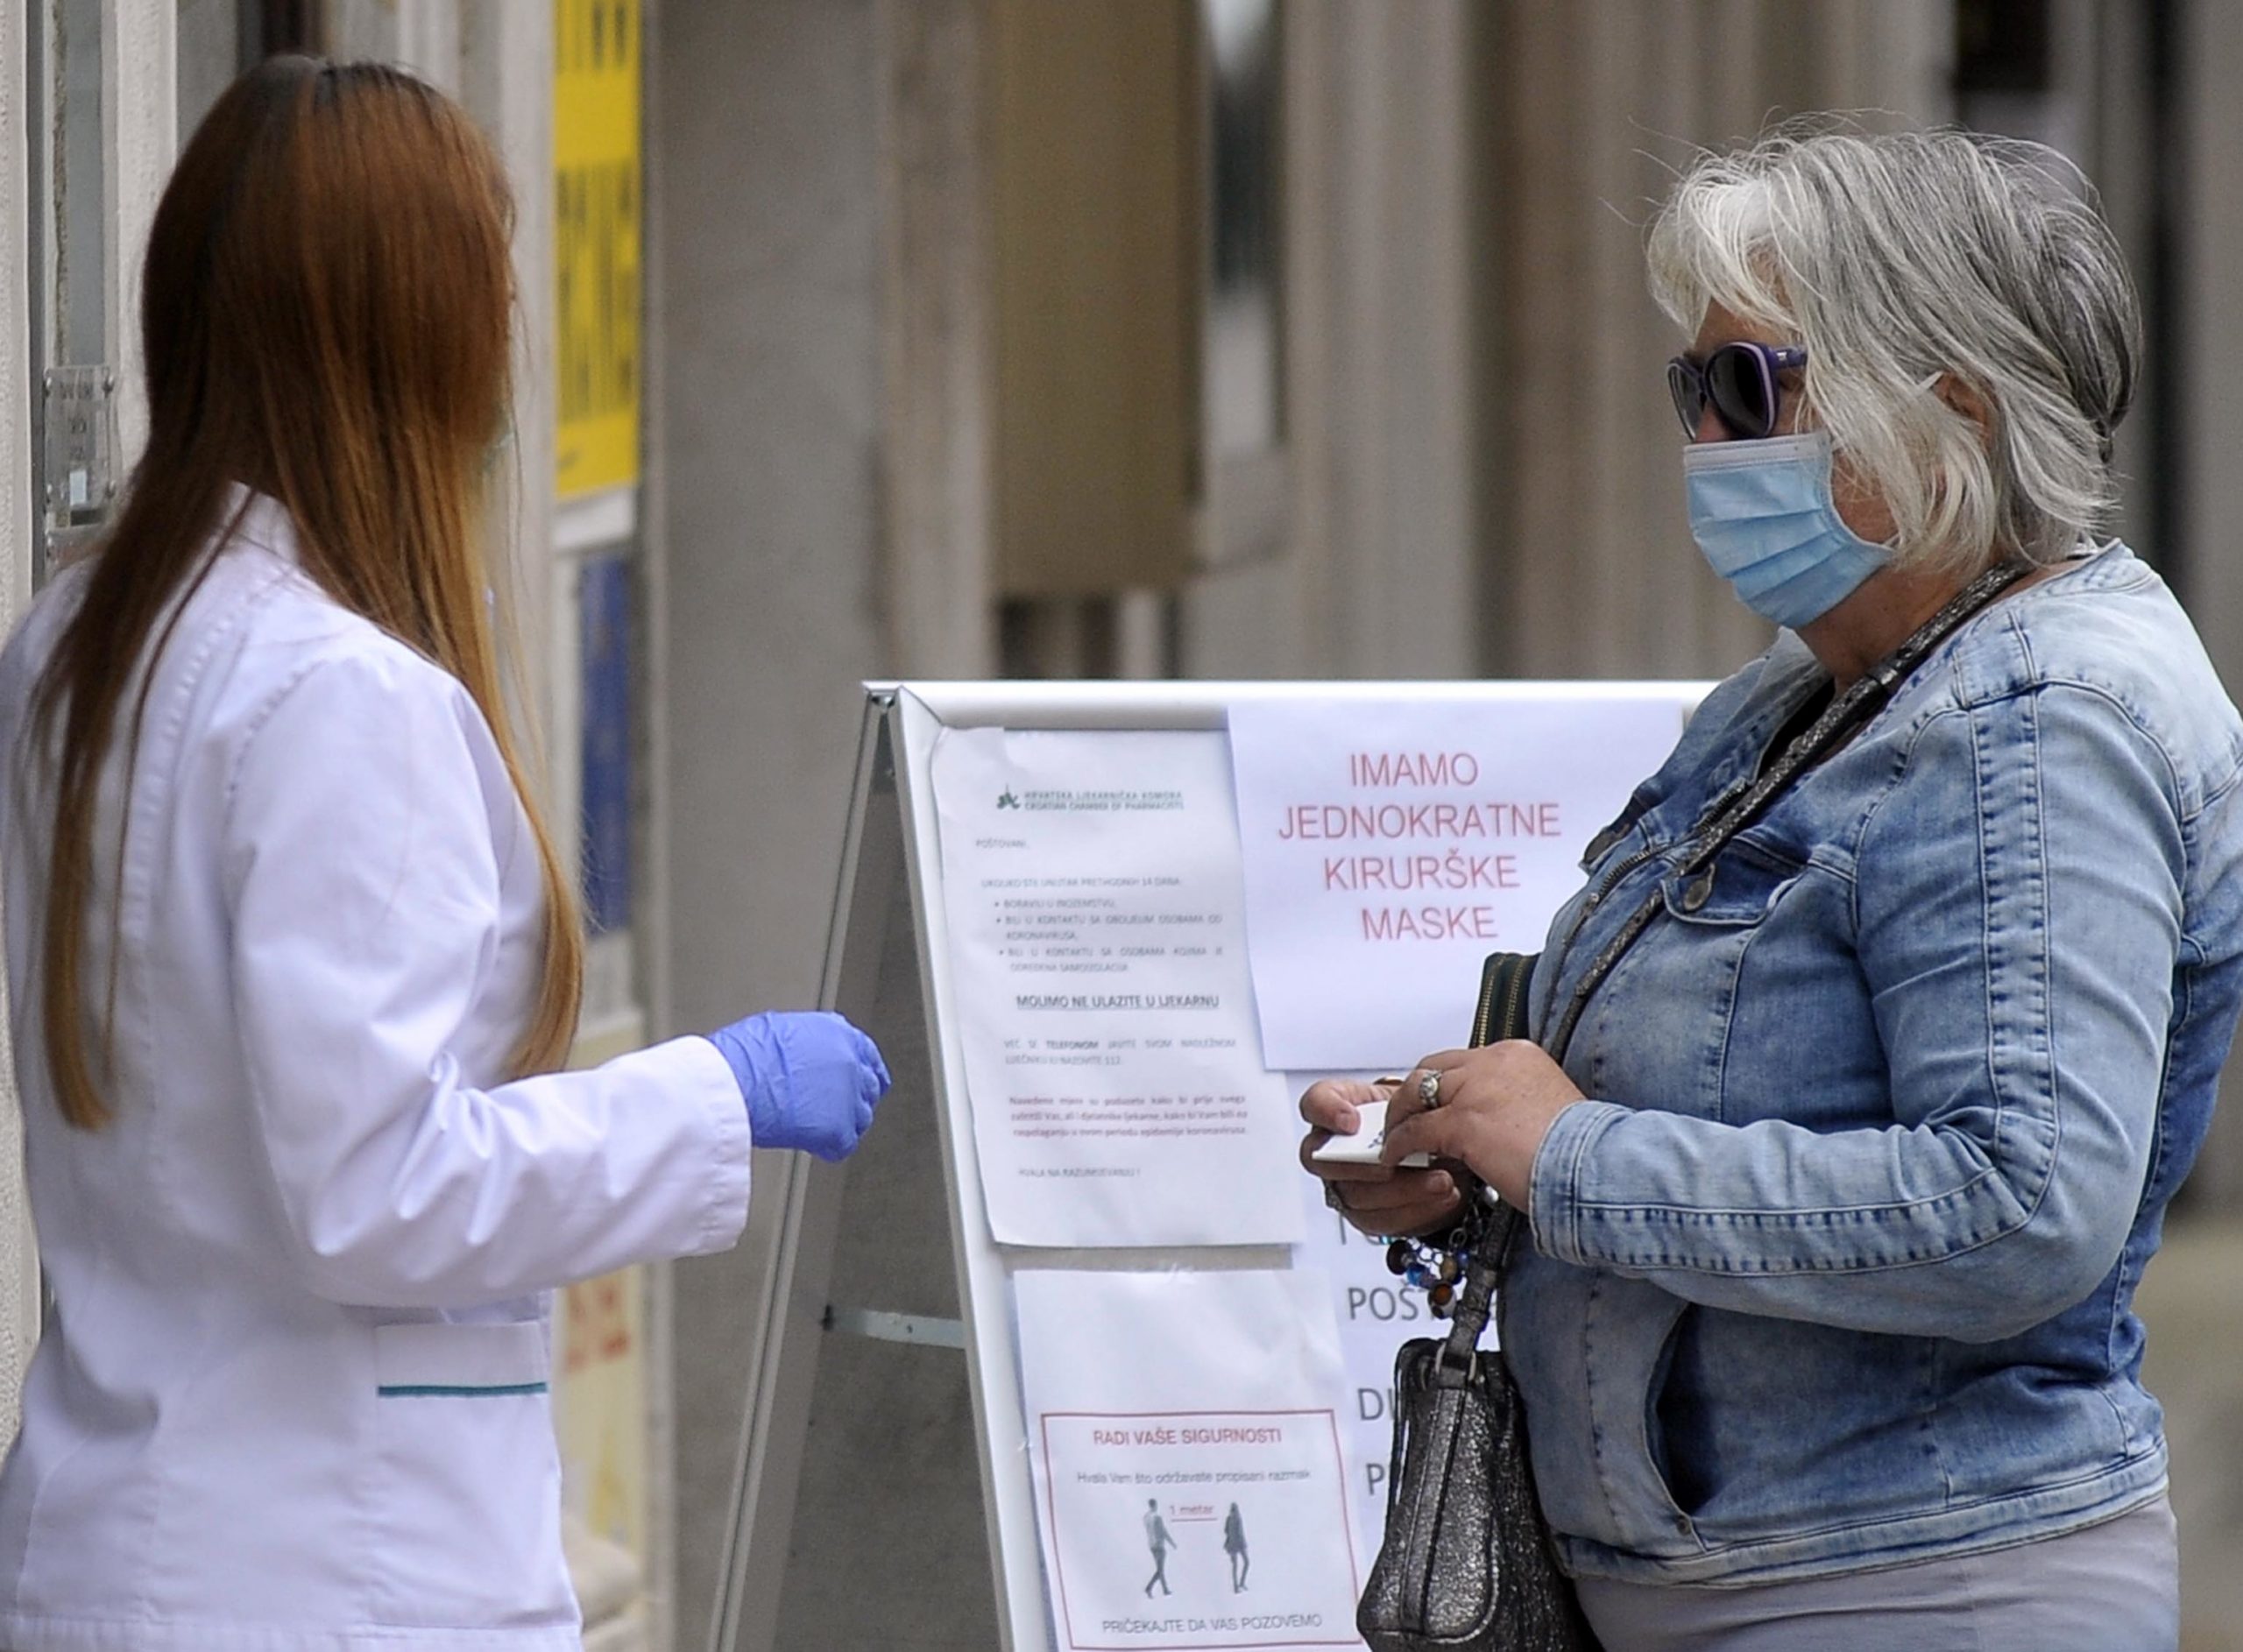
(766, 505)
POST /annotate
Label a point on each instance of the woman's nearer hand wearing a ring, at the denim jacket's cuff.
(1495, 1108)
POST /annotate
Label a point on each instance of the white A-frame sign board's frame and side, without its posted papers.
(885, 1489)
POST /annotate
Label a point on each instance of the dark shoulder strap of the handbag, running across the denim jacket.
(1724, 819)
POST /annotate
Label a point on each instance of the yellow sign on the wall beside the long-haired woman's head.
(598, 225)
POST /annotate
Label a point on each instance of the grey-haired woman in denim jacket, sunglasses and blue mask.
(1870, 1111)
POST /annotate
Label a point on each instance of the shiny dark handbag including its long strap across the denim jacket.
(1468, 1563)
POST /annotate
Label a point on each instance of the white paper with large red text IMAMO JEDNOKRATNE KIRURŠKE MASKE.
(1392, 846)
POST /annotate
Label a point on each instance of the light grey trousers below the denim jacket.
(2110, 1588)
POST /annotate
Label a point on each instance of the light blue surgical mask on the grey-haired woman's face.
(1764, 517)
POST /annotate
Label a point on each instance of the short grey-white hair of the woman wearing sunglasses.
(1899, 259)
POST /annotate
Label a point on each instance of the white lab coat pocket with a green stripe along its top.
(468, 1505)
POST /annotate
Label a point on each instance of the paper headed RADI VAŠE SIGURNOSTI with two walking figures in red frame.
(1185, 1447)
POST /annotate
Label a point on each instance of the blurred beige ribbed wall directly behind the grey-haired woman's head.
(1486, 474)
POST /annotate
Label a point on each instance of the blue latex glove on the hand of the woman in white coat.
(809, 1079)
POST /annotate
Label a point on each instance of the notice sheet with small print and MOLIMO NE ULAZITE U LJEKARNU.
(1105, 1005)
